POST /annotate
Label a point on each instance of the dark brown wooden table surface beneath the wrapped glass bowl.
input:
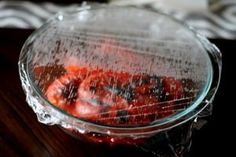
(22, 135)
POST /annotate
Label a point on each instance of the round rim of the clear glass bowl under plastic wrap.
(168, 120)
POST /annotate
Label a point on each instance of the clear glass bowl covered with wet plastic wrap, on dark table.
(131, 42)
